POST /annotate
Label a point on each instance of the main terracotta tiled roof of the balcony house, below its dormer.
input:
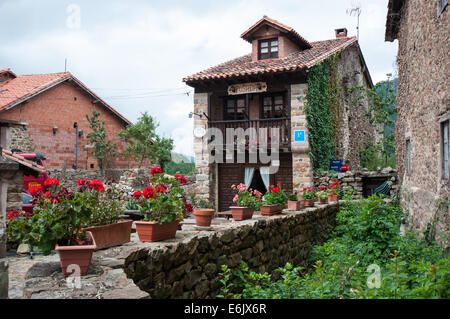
(244, 65)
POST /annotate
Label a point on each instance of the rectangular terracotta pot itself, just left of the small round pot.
(153, 231)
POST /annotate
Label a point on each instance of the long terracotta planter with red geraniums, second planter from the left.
(104, 221)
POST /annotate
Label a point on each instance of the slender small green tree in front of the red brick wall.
(104, 149)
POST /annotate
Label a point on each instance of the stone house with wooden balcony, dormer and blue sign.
(267, 89)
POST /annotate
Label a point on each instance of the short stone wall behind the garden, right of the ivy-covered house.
(356, 179)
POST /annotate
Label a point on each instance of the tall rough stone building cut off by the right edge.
(422, 129)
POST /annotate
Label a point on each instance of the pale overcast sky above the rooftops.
(134, 54)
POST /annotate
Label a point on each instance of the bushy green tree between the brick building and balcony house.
(145, 143)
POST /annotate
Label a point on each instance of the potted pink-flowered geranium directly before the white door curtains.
(247, 202)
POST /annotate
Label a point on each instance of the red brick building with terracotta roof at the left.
(42, 110)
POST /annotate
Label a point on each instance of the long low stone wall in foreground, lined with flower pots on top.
(189, 266)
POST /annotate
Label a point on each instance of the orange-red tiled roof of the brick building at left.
(23, 87)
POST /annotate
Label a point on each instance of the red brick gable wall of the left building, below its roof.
(61, 106)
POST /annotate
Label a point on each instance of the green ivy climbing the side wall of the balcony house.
(323, 113)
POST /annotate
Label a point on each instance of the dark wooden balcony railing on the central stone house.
(283, 124)
